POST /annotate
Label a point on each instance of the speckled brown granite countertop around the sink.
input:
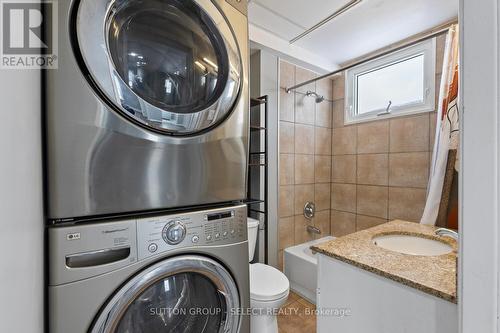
(435, 275)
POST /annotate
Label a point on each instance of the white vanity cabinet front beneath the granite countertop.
(354, 300)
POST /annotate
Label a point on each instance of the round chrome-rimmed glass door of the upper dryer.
(170, 65)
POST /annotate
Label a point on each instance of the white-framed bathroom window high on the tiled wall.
(400, 83)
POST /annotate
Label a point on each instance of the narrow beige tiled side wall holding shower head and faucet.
(305, 156)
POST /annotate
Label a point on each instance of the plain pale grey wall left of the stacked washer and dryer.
(21, 239)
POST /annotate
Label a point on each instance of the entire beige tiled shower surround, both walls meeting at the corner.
(358, 175)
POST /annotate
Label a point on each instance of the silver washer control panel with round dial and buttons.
(213, 227)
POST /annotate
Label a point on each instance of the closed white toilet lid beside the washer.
(267, 283)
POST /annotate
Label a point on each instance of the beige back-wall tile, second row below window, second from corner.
(373, 169)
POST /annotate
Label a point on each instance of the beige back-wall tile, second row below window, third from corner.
(409, 169)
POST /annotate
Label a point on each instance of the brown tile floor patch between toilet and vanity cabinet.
(297, 316)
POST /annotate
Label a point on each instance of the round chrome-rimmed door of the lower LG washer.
(183, 294)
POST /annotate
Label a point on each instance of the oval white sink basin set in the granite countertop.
(414, 245)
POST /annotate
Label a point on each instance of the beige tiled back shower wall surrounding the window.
(380, 169)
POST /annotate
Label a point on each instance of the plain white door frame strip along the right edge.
(478, 271)
